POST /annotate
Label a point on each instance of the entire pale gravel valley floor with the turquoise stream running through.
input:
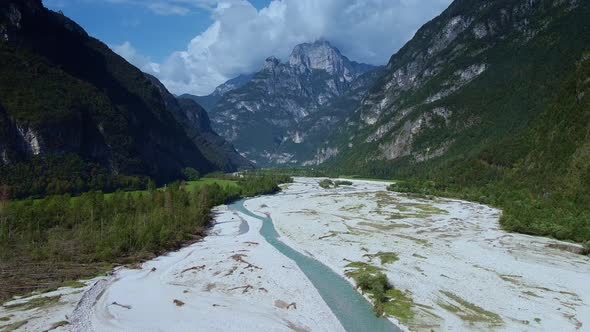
(449, 264)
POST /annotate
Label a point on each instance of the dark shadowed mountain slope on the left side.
(76, 116)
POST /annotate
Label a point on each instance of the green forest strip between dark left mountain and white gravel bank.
(45, 242)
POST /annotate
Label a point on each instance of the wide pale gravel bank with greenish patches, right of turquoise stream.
(461, 270)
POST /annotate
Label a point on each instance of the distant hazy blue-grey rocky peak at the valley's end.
(266, 118)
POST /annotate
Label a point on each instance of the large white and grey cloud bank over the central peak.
(241, 36)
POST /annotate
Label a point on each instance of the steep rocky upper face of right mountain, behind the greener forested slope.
(478, 74)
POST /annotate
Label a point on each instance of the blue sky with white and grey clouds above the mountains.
(193, 46)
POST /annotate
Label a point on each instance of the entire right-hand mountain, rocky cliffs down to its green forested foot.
(489, 100)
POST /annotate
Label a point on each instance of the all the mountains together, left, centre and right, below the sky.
(488, 101)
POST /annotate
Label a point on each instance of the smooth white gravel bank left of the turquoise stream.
(232, 281)
